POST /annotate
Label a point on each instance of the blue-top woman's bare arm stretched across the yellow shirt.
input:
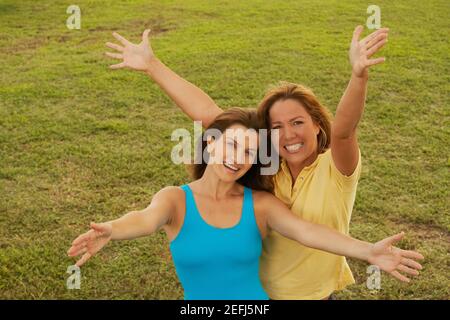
(383, 254)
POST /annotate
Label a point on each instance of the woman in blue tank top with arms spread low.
(216, 224)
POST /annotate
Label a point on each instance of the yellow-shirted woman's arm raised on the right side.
(344, 143)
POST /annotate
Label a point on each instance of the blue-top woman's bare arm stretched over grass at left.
(130, 226)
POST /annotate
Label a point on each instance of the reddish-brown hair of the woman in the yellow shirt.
(319, 114)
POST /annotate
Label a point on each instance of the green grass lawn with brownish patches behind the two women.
(80, 142)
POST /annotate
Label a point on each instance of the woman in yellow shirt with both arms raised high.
(320, 167)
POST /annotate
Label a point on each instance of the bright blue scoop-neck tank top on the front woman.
(218, 264)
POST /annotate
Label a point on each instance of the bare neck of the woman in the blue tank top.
(210, 184)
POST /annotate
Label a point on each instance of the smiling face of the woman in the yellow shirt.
(297, 131)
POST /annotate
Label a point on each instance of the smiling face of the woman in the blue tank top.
(234, 152)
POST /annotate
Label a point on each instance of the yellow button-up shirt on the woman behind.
(320, 194)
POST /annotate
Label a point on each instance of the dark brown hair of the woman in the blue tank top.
(249, 119)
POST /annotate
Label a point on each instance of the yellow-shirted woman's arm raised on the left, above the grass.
(192, 100)
